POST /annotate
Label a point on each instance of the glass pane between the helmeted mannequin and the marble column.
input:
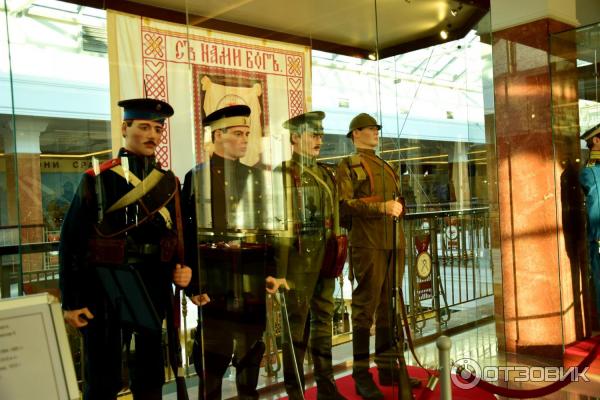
(436, 110)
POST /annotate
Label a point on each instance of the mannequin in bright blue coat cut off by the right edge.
(590, 182)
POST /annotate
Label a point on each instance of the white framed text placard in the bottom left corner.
(35, 358)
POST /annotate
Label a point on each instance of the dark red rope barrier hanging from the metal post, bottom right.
(468, 377)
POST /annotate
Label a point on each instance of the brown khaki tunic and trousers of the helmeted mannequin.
(362, 199)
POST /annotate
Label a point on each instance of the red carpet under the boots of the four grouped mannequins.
(346, 387)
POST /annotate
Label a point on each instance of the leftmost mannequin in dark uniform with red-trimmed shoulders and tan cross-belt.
(111, 225)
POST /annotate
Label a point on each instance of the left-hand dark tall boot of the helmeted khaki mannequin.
(364, 384)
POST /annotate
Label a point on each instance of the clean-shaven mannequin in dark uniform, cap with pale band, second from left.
(223, 213)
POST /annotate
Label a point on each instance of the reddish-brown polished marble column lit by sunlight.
(538, 307)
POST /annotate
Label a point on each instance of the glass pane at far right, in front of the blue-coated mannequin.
(575, 56)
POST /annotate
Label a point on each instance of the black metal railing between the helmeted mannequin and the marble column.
(459, 245)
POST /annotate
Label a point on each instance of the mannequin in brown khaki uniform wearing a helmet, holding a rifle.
(368, 189)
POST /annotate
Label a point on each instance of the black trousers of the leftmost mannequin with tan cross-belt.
(107, 341)
